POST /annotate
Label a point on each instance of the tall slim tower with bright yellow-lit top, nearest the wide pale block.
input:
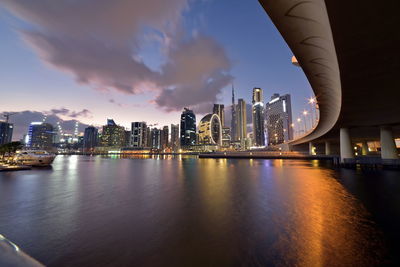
(258, 117)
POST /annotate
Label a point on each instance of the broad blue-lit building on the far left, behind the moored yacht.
(40, 135)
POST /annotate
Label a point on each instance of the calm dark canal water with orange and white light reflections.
(185, 211)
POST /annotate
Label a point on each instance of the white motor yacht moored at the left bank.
(34, 157)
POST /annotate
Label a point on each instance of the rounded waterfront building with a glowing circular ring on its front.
(210, 130)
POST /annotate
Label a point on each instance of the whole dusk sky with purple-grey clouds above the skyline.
(134, 60)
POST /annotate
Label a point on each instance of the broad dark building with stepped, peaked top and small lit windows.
(113, 135)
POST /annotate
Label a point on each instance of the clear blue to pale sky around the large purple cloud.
(67, 99)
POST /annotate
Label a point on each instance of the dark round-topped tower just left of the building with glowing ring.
(188, 128)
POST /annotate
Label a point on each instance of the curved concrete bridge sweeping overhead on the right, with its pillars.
(349, 52)
